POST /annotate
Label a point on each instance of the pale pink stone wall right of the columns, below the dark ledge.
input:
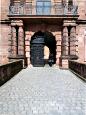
(81, 37)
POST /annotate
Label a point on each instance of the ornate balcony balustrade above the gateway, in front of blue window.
(29, 9)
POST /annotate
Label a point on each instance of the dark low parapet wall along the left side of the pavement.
(8, 70)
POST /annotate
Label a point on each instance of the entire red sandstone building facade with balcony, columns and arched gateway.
(38, 30)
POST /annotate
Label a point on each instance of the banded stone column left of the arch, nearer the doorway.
(20, 41)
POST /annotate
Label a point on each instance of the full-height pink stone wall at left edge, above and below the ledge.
(4, 31)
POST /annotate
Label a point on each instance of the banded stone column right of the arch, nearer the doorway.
(65, 42)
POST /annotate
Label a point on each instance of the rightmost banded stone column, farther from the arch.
(73, 42)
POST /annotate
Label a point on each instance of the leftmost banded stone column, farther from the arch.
(13, 42)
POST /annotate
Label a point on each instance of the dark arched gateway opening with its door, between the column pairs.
(38, 42)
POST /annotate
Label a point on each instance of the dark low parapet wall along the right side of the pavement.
(78, 68)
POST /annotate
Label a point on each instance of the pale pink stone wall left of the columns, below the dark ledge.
(4, 35)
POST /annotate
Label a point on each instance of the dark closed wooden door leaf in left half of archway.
(37, 52)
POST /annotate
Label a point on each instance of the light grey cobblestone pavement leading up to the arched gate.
(43, 91)
